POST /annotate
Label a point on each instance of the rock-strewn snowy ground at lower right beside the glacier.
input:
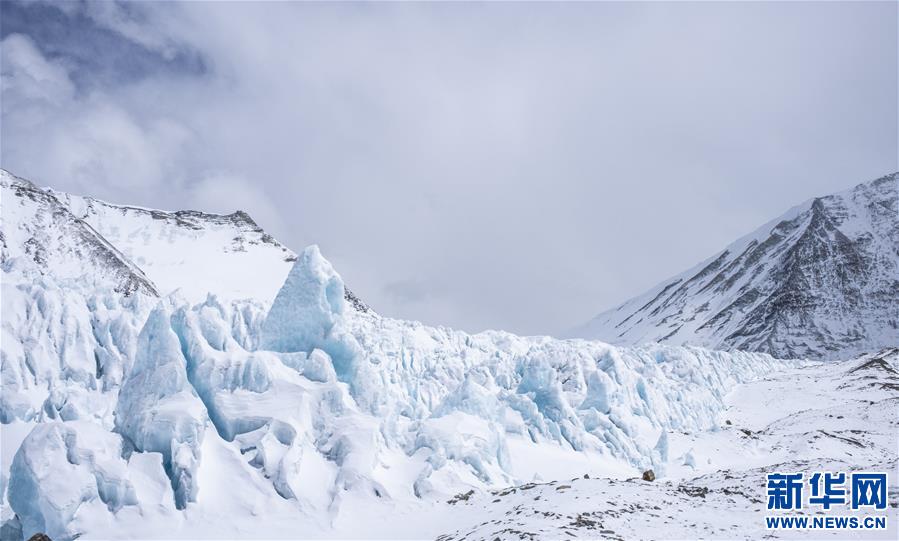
(843, 419)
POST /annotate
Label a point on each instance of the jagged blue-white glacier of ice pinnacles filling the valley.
(314, 407)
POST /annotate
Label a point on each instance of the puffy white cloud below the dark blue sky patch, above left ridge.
(89, 143)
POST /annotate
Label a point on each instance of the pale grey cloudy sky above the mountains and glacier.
(516, 166)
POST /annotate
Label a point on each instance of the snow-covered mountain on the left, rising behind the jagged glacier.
(189, 251)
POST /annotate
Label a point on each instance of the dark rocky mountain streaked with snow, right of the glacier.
(820, 281)
